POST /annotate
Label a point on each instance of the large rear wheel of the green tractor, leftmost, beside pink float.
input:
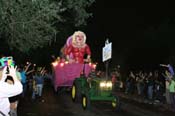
(75, 93)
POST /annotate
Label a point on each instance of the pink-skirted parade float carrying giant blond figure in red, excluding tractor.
(71, 62)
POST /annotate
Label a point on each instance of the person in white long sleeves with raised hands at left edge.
(8, 90)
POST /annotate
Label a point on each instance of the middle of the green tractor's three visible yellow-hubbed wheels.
(85, 102)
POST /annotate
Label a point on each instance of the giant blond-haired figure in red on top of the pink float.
(76, 48)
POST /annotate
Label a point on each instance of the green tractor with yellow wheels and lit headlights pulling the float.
(88, 89)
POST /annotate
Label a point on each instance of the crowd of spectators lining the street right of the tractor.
(154, 86)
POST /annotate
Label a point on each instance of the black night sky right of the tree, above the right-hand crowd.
(142, 35)
